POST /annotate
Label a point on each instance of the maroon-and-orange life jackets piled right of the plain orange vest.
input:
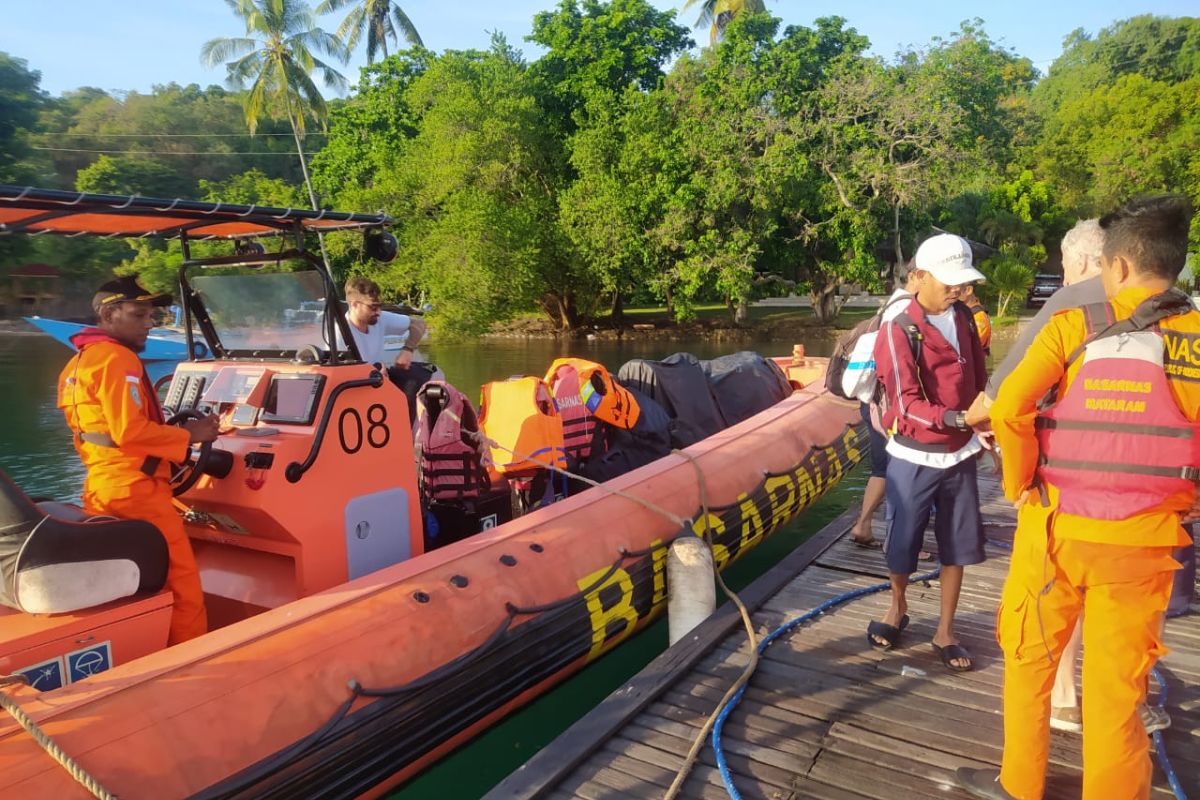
(586, 395)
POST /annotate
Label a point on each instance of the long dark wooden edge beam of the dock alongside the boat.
(555, 761)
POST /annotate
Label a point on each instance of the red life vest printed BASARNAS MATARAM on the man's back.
(1117, 444)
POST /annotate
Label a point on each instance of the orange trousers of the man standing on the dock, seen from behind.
(1124, 592)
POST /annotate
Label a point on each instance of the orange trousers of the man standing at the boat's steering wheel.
(151, 500)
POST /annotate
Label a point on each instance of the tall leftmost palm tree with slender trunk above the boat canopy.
(277, 57)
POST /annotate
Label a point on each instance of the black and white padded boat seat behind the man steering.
(55, 566)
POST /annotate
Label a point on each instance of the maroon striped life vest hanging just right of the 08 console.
(451, 467)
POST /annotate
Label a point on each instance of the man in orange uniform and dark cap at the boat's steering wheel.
(122, 440)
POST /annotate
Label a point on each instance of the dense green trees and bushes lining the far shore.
(625, 166)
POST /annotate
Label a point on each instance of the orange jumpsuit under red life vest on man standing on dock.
(1120, 572)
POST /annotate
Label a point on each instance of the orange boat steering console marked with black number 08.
(321, 486)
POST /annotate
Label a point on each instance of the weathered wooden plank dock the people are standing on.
(825, 715)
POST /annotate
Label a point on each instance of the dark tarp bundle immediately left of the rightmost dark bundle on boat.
(680, 386)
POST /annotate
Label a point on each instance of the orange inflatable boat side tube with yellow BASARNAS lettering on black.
(399, 667)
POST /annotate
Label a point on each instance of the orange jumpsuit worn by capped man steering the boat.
(104, 390)
